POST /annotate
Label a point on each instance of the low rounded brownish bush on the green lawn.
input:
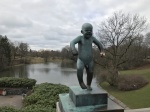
(131, 82)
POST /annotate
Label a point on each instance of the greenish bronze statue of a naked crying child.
(85, 55)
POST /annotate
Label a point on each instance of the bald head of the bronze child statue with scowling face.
(87, 30)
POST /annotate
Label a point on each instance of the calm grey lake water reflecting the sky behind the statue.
(63, 73)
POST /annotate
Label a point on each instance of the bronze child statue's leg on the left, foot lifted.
(80, 68)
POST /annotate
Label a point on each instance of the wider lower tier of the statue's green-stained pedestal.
(66, 105)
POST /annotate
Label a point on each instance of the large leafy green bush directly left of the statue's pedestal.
(44, 97)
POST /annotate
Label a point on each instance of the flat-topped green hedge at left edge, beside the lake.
(17, 82)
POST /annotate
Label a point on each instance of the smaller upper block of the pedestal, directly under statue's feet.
(85, 97)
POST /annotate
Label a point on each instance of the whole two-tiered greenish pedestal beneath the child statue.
(79, 100)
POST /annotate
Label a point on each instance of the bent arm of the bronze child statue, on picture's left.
(72, 45)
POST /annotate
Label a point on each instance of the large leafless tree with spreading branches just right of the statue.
(119, 30)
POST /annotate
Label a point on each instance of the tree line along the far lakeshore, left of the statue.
(10, 51)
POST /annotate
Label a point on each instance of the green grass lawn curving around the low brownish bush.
(133, 99)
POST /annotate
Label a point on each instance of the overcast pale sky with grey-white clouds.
(52, 24)
